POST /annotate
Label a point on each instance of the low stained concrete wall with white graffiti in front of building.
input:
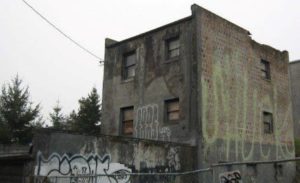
(61, 154)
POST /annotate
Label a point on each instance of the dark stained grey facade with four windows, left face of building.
(156, 80)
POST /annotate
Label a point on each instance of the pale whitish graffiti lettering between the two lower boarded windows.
(147, 125)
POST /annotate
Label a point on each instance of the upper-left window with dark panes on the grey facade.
(129, 65)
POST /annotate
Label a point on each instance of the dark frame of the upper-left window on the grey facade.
(125, 67)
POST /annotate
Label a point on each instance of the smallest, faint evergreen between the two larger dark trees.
(57, 118)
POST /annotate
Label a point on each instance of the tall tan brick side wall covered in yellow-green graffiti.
(235, 94)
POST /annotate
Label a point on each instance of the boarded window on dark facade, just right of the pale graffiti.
(172, 109)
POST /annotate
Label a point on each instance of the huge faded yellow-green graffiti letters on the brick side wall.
(232, 112)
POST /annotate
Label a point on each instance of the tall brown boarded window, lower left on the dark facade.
(127, 120)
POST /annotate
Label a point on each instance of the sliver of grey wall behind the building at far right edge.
(294, 70)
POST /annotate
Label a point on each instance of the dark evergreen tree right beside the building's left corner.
(87, 120)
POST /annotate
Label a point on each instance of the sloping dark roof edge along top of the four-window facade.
(151, 31)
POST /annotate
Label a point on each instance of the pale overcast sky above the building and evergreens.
(54, 68)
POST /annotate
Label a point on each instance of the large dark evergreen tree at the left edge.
(18, 116)
